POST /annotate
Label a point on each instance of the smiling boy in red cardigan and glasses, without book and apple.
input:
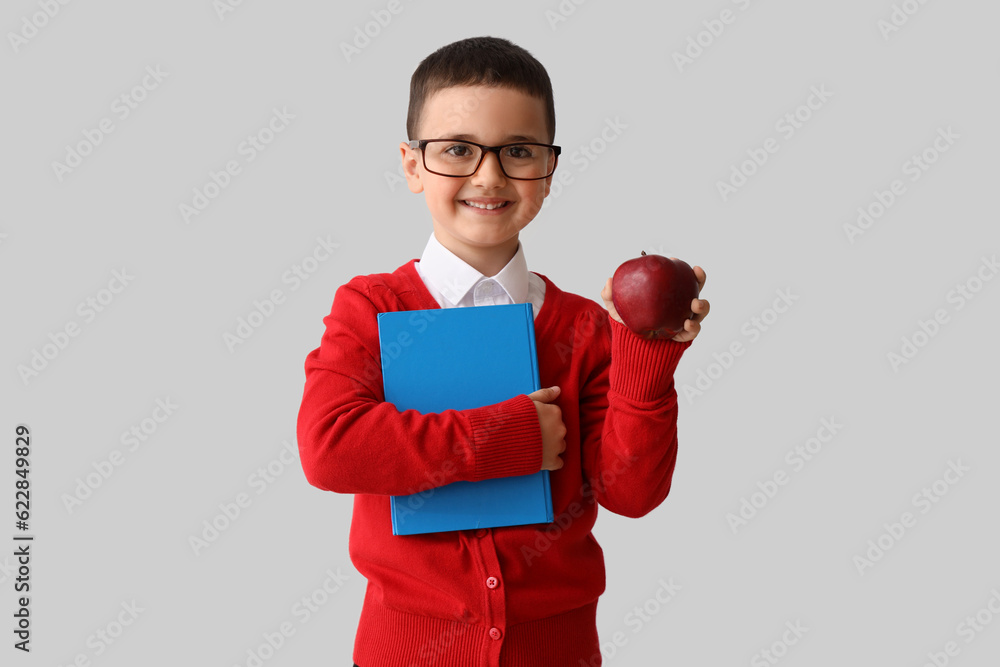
(604, 423)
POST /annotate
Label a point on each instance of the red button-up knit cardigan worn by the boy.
(517, 595)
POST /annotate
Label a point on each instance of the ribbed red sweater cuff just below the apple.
(642, 370)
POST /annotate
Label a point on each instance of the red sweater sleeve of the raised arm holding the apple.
(628, 422)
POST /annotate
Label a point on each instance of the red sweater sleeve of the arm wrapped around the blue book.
(352, 441)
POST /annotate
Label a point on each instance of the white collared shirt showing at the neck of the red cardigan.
(455, 284)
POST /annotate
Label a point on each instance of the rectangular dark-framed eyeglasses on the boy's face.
(459, 159)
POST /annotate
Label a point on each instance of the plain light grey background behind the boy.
(334, 173)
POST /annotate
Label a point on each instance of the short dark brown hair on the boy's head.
(488, 61)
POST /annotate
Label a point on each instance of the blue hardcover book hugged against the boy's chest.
(461, 358)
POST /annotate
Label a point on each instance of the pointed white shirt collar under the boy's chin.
(453, 277)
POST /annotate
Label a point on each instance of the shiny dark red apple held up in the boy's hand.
(653, 295)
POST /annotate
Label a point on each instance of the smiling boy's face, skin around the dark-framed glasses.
(490, 116)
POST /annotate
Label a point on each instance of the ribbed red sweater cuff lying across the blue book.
(507, 438)
